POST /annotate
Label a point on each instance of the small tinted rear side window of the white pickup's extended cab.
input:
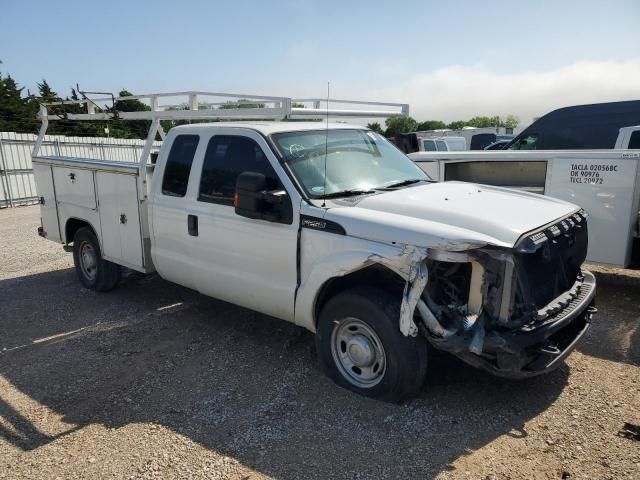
(178, 167)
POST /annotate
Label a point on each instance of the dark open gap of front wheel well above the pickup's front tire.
(372, 276)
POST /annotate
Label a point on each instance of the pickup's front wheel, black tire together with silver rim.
(358, 329)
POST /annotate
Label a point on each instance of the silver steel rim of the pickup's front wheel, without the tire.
(358, 353)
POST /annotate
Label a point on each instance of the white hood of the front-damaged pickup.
(450, 213)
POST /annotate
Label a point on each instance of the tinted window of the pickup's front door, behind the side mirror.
(227, 157)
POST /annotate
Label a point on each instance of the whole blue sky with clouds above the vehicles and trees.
(449, 60)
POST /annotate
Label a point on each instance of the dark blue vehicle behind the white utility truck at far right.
(591, 127)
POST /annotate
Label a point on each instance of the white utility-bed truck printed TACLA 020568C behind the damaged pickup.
(604, 182)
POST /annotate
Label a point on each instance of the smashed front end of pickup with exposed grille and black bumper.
(515, 313)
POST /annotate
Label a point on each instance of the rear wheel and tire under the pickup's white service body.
(94, 272)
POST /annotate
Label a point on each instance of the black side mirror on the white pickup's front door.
(254, 199)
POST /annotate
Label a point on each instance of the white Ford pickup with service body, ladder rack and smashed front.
(331, 227)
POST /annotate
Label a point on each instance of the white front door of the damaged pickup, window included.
(244, 261)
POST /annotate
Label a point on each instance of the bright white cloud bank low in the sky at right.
(461, 92)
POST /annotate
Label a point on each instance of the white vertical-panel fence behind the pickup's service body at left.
(17, 185)
